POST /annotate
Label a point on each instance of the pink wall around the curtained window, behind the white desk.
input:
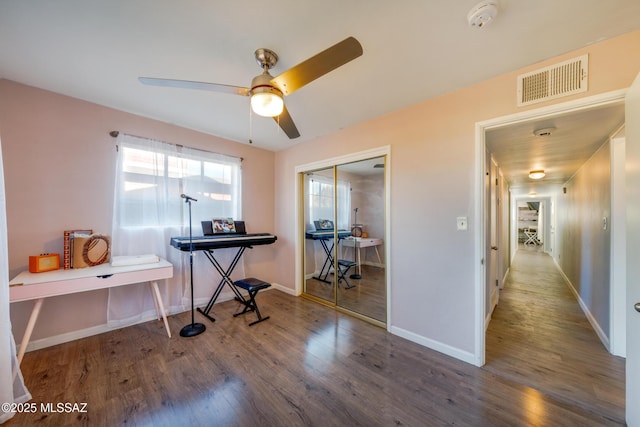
(59, 174)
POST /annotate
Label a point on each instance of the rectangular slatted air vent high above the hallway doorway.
(555, 81)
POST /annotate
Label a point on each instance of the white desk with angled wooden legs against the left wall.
(38, 286)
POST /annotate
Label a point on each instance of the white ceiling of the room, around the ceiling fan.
(413, 50)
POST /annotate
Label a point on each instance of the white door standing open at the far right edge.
(632, 169)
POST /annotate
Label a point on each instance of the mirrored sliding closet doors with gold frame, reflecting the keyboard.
(343, 227)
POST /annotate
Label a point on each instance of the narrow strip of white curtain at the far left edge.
(12, 388)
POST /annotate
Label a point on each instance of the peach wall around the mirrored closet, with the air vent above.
(433, 180)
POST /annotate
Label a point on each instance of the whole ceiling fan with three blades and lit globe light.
(267, 92)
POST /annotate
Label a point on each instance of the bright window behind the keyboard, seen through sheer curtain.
(154, 175)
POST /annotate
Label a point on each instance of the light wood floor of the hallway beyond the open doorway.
(539, 337)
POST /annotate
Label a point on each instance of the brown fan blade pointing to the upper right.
(318, 65)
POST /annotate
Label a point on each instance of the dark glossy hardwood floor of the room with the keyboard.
(306, 365)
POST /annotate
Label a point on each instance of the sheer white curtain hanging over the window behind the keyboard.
(151, 176)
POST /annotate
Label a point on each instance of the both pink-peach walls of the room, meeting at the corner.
(58, 162)
